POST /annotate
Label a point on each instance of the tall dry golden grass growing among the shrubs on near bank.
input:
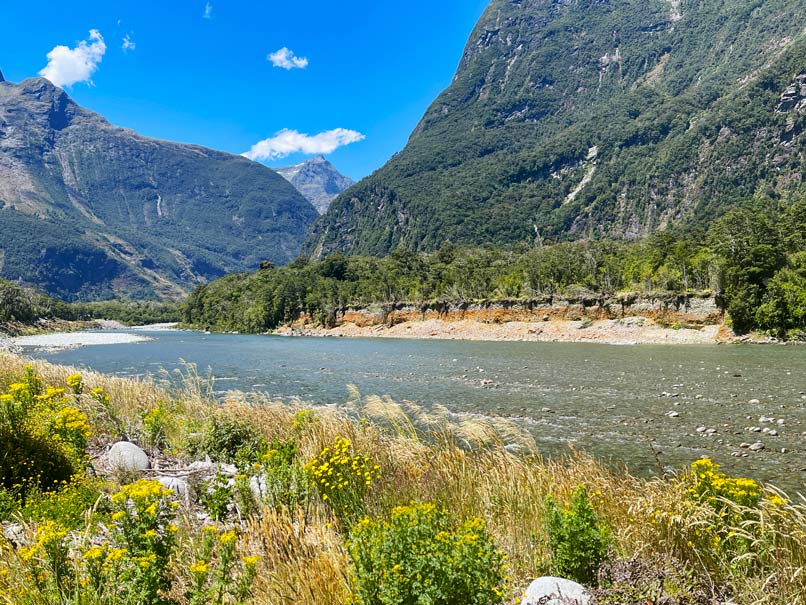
(468, 466)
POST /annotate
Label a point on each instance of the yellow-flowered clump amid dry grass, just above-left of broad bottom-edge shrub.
(342, 478)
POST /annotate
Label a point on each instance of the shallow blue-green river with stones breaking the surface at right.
(613, 401)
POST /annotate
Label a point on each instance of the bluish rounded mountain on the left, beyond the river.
(90, 210)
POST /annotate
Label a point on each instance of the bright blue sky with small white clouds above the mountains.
(199, 72)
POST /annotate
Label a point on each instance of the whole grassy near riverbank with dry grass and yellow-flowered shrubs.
(373, 502)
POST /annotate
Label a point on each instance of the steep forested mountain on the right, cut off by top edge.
(577, 119)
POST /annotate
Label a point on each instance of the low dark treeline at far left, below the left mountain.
(26, 306)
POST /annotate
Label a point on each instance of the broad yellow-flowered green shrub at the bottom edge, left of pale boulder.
(419, 556)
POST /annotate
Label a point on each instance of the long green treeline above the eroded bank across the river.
(753, 259)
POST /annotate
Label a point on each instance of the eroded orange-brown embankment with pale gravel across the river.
(623, 319)
